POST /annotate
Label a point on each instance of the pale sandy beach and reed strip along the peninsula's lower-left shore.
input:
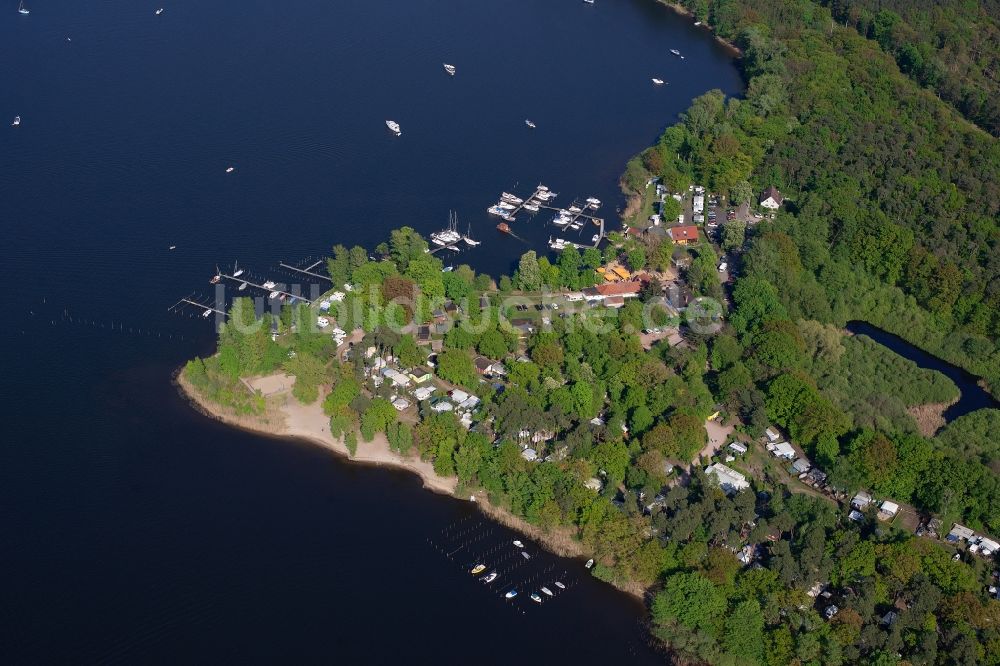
(293, 420)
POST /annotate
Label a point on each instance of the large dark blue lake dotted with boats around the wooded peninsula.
(136, 530)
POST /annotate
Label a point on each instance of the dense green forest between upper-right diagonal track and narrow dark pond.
(892, 201)
